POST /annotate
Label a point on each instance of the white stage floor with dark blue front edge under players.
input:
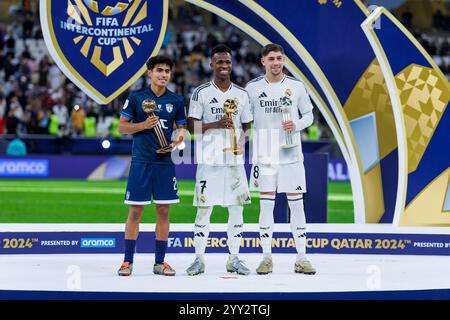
(93, 276)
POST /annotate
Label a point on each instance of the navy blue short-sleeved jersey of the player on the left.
(170, 110)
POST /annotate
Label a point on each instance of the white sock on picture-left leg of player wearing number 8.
(266, 222)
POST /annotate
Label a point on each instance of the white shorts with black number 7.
(221, 185)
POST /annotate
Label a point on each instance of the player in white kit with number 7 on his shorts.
(220, 177)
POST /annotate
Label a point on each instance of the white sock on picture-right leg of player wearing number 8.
(298, 223)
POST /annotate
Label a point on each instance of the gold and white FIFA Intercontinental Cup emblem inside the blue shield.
(101, 26)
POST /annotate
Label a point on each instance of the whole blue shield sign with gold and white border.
(103, 45)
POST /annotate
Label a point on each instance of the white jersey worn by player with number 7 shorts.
(207, 105)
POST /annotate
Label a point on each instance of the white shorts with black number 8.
(289, 178)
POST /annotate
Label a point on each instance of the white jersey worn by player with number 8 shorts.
(266, 104)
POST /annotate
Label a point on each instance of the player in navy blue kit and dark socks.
(152, 174)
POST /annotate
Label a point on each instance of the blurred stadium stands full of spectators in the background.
(36, 98)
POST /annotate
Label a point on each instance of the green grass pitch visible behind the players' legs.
(81, 201)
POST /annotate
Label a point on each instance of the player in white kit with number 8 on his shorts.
(277, 152)
